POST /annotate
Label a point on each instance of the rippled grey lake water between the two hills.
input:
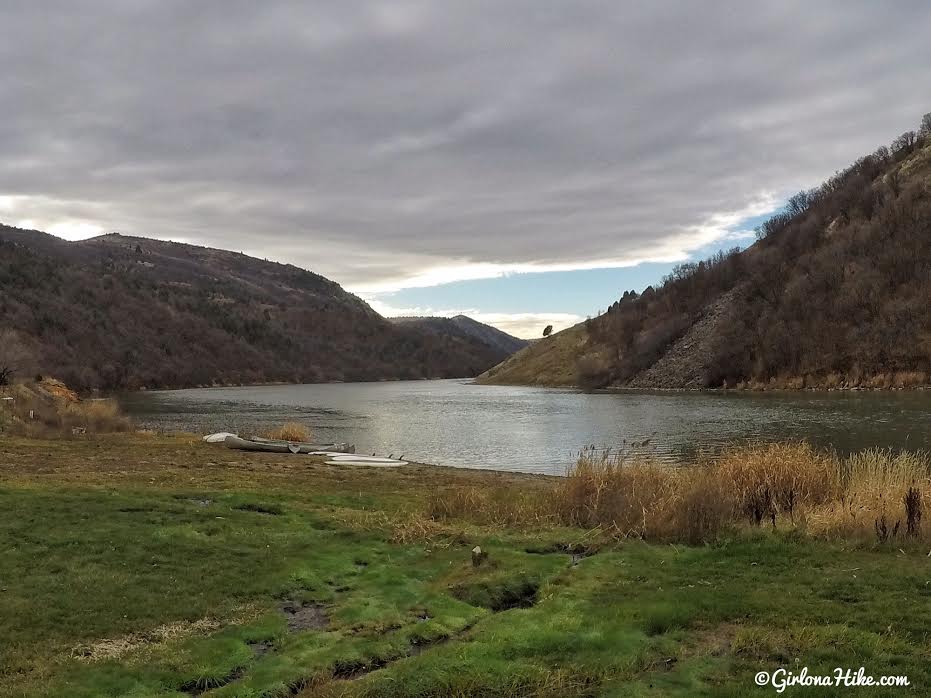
(454, 422)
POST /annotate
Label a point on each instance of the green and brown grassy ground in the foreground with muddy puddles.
(146, 565)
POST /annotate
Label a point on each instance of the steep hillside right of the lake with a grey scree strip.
(836, 292)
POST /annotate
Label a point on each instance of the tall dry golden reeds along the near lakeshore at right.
(874, 494)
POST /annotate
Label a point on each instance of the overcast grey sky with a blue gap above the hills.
(524, 161)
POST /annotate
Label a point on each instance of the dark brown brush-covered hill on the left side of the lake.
(119, 312)
